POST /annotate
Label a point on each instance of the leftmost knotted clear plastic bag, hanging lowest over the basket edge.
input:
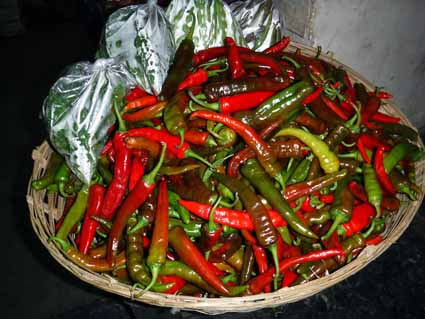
(78, 111)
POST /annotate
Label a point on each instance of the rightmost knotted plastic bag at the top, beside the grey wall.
(259, 21)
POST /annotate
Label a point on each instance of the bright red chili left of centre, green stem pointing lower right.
(172, 142)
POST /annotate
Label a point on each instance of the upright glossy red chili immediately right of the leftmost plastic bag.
(116, 190)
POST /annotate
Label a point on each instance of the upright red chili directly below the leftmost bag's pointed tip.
(88, 230)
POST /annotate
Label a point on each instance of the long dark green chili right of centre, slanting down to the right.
(259, 179)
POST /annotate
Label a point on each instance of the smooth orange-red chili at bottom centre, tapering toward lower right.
(192, 257)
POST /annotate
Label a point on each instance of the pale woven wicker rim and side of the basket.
(45, 209)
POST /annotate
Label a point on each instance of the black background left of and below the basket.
(56, 34)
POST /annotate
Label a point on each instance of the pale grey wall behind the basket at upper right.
(384, 40)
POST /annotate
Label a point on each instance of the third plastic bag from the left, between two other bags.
(213, 21)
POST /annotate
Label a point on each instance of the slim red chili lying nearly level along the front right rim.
(257, 284)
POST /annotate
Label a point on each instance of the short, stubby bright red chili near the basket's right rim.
(360, 218)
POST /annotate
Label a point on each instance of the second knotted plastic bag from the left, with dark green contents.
(142, 36)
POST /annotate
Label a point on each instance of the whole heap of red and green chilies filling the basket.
(250, 172)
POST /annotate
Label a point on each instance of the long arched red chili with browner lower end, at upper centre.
(251, 138)
